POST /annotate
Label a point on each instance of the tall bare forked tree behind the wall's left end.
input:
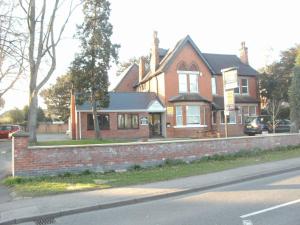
(45, 33)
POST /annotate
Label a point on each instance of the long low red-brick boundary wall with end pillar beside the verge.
(33, 161)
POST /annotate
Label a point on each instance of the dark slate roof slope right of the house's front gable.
(221, 61)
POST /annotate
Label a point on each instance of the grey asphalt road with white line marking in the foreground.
(268, 201)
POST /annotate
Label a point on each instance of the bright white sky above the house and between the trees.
(216, 26)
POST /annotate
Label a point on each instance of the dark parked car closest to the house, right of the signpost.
(256, 125)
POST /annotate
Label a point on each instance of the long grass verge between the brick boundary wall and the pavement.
(171, 169)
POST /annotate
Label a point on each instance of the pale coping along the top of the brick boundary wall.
(159, 142)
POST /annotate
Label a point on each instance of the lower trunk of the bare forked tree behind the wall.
(32, 117)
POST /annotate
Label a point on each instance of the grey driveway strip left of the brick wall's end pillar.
(5, 167)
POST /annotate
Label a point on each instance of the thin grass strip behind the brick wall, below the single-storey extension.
(79, 142)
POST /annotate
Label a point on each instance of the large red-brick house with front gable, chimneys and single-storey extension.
(180, 96)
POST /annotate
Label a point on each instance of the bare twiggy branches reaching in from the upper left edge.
(12, 46)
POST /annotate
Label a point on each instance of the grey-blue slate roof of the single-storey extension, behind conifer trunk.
(122, 101)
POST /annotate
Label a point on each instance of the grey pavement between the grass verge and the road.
(65, 204)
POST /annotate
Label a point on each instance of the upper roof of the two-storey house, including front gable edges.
(214, 62)
